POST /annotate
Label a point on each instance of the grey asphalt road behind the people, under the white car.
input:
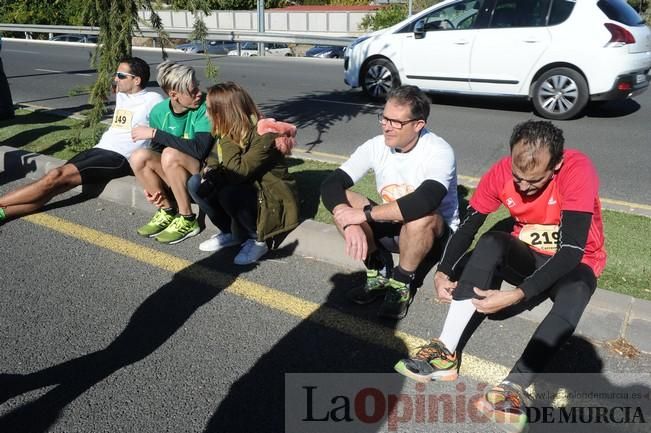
(334, 119)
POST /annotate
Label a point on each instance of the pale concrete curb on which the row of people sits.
(609, 315)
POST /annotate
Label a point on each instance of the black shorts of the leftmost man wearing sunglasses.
(100, 165)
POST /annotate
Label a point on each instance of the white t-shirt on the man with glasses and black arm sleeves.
(398, 174)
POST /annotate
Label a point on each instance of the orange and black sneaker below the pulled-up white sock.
(432, 362)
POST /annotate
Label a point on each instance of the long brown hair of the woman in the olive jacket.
(232, 111)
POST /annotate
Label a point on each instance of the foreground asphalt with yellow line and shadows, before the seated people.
(104, 331)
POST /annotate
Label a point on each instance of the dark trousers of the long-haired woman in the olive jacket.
(228, 204)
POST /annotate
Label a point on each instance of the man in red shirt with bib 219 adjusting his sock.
(555, 250)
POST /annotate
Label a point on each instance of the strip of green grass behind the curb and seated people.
(628, 270)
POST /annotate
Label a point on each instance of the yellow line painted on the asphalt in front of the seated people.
(473, 367)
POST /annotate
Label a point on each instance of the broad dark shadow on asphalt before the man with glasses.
(260, 400)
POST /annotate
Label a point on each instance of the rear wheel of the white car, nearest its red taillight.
(560, 94)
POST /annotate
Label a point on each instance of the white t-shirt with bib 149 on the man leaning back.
(130, 110)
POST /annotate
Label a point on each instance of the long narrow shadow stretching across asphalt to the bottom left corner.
(151, 325)
